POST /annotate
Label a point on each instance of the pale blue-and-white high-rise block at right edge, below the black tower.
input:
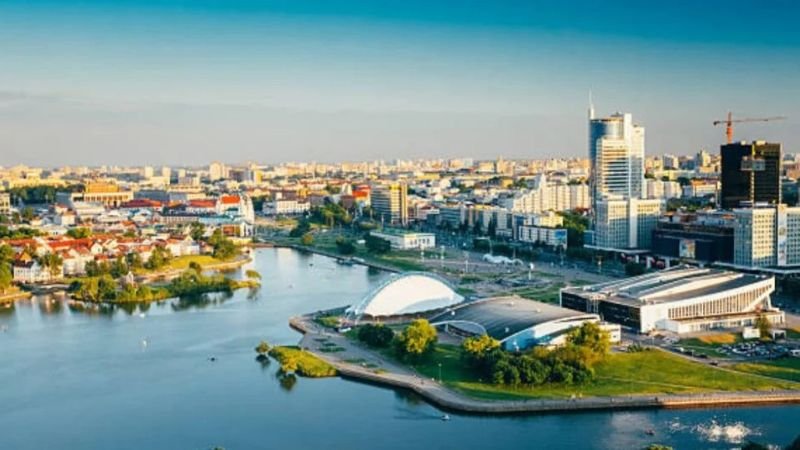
(766, 236)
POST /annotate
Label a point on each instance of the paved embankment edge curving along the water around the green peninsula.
(449, 399)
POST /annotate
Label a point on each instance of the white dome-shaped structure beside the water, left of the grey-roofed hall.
(408, 293)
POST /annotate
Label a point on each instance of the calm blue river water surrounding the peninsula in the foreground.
(117, 379)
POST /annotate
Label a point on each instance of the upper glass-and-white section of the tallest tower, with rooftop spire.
(616, 156)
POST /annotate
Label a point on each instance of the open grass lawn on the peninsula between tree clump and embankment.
(648, 372)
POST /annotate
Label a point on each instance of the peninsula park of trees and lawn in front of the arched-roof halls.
(584, 366)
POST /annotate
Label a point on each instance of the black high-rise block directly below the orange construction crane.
(751, 172)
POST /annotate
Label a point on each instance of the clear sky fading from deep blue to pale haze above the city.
(186, 82)
